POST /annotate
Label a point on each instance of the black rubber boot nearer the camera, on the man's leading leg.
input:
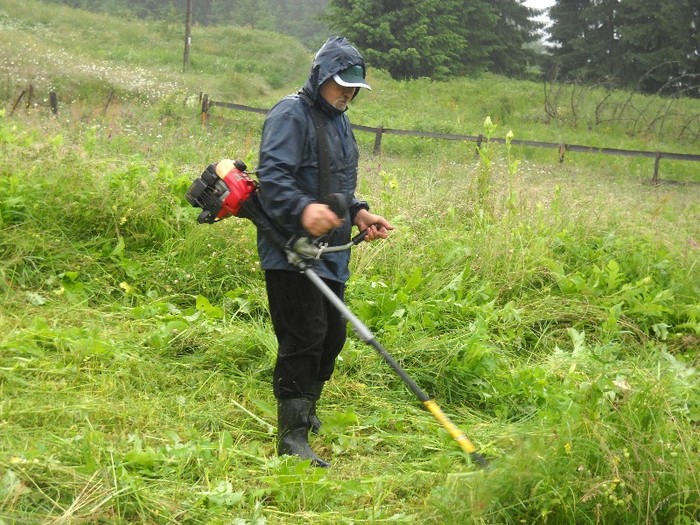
(293, 430)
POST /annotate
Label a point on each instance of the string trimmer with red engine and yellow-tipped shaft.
(226, 189)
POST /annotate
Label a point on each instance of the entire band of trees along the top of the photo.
(648, 45)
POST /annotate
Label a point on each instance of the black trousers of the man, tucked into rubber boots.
(310, 332)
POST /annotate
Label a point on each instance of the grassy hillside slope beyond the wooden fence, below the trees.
(88, 56)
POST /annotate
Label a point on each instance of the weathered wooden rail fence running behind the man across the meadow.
(380, 131)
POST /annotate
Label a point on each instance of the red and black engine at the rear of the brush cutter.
(221, 190)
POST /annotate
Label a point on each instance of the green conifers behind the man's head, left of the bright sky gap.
(437, 38)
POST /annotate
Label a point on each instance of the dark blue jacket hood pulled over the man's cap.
(336, 55)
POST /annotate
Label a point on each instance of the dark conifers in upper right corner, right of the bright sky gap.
(648, 45)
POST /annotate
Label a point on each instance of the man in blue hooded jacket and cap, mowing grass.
(310, 332)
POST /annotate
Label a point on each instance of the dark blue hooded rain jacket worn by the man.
(288, 166)
